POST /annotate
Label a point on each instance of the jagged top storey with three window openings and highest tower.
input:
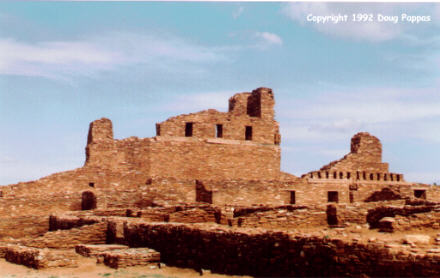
(250, 117)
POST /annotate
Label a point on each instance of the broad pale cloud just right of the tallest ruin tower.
(339, 115)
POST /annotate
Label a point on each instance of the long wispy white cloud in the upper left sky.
(64, 59)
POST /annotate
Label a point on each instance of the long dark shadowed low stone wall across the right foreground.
(259, 252)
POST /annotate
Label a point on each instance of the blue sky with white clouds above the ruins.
(65, 64)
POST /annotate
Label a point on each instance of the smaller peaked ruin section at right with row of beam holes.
(360, 176)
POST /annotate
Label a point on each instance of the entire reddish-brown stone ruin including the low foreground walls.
(207, 192)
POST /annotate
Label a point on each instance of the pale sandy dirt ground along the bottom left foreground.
(89, 269)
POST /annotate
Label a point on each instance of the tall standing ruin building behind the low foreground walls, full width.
(223, 158)
